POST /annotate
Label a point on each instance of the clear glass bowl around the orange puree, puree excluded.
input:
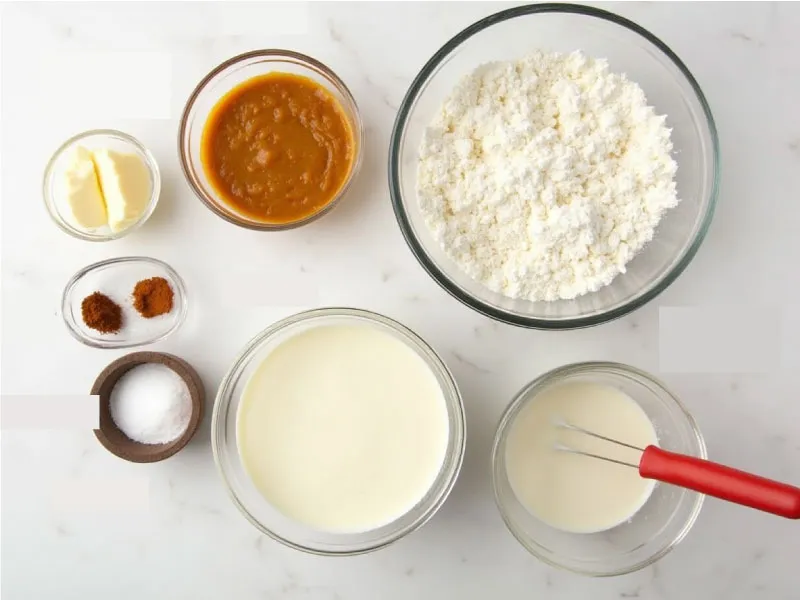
(219, 82)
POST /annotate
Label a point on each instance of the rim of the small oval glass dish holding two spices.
(111, 344)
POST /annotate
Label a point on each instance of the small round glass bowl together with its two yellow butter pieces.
(101, 184)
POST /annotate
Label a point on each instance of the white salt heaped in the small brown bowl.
(151, 404)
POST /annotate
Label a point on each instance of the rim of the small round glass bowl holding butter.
(152, 168)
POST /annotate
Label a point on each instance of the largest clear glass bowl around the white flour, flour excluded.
(670, 89)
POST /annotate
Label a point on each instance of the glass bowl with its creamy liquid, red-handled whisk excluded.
(581, 513)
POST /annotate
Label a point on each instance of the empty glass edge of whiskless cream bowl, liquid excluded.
(255, 507)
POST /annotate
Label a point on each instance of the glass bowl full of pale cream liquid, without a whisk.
(338, 431)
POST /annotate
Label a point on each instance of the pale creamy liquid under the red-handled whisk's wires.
(571, 492)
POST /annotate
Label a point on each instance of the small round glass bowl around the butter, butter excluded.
(96, 139)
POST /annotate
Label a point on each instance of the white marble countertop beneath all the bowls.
(190, 542)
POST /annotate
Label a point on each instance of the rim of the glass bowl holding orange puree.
(359, 134)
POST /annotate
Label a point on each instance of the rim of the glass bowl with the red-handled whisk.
(559, 374)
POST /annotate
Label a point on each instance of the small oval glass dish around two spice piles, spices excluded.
(116, 279)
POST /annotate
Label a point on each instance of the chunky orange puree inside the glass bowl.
(277, 148)
